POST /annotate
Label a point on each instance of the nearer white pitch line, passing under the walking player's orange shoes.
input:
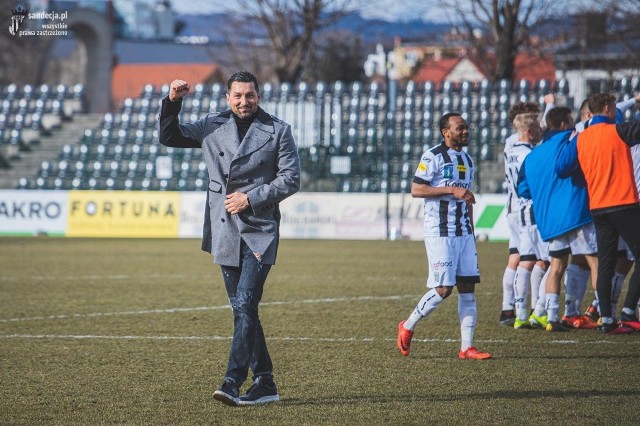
(293, 339)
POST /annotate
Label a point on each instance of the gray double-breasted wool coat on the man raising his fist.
(265, 165)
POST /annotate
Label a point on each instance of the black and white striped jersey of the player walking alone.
(441, 166)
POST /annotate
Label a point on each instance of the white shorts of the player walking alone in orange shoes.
(452, 260)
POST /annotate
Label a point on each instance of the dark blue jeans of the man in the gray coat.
(244, 286)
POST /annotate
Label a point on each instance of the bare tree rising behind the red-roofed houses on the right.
(508, 22)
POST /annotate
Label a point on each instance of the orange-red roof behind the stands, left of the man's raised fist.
(128, 80)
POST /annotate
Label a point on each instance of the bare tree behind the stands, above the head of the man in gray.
(287, 29)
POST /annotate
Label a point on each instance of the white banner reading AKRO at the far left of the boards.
(33, 212)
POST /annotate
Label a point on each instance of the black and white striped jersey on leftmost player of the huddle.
(513, 158)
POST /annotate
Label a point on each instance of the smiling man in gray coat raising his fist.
(253, 164)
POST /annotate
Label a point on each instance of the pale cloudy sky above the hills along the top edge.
(385, 9)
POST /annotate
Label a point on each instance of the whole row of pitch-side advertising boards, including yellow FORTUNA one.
(148, 214)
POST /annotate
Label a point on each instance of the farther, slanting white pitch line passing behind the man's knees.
(205, 308)
